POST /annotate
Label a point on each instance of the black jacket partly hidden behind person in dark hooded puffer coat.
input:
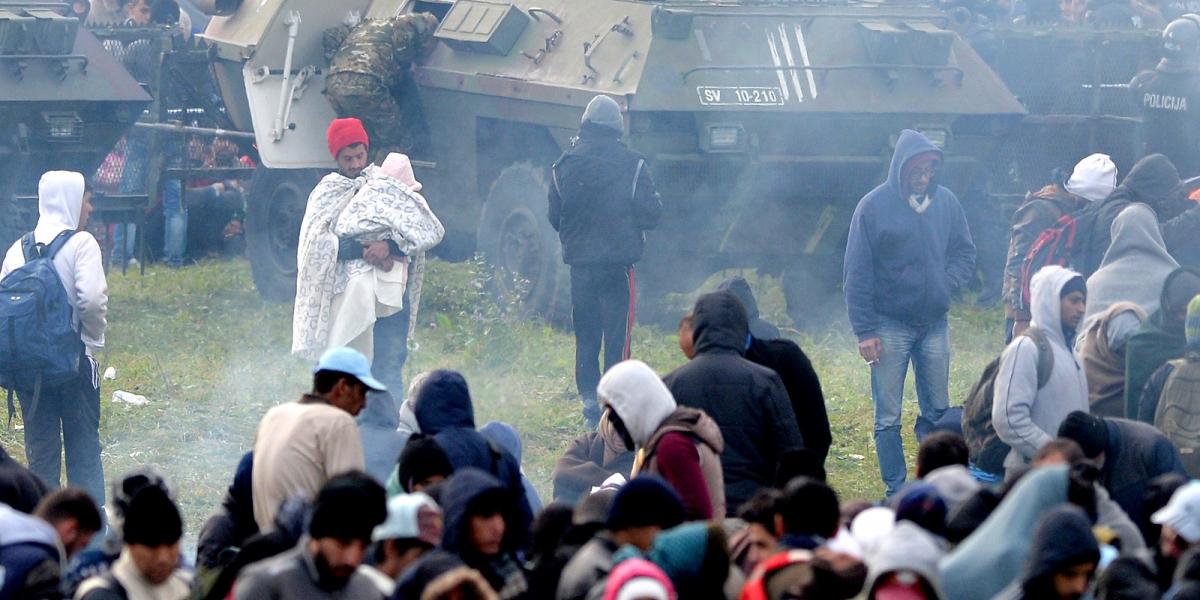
(794, 368)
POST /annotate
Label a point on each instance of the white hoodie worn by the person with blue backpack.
(80, 263)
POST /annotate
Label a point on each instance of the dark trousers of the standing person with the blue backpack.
(67, 418)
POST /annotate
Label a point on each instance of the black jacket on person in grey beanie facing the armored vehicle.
(602, 201)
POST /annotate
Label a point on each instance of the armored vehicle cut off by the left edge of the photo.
(64, 103)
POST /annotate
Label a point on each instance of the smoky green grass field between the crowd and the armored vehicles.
(212, 358)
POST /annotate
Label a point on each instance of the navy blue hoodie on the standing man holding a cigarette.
(902, 265)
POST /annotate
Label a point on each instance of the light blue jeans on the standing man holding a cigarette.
(928, 347)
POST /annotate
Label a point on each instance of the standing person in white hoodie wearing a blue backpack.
(53, 305)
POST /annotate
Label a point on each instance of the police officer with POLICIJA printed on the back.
(1169, 98)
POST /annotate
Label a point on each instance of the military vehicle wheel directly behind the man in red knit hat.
(278, 201)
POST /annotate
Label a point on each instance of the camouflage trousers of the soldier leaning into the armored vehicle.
(391, 128)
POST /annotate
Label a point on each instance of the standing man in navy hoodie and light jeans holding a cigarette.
(909, 251)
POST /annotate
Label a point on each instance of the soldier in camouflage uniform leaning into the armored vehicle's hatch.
(370, 71)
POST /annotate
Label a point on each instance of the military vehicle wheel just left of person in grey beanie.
(527, 272)
